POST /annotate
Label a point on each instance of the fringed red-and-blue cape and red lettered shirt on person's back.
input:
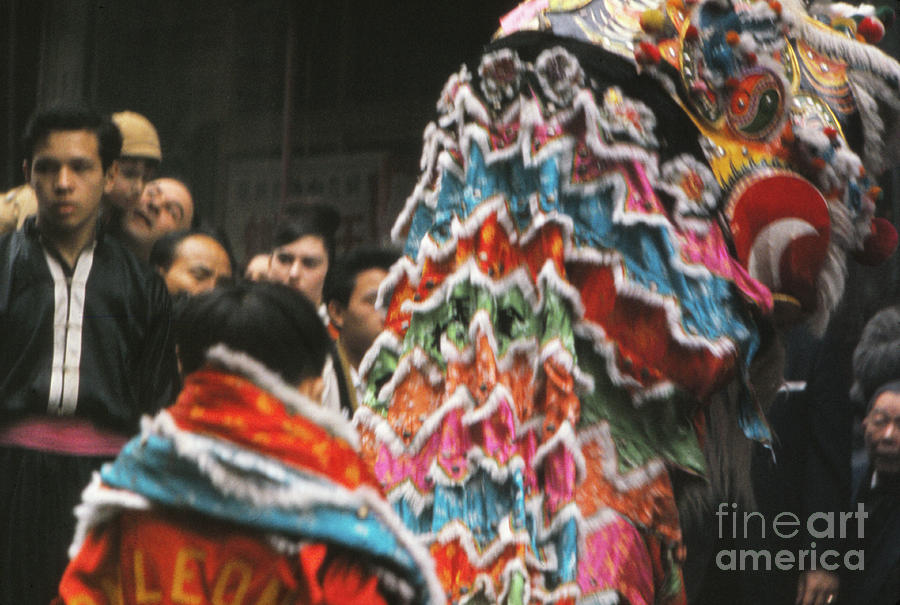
(243, 491)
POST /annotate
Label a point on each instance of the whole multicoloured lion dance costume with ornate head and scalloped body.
(609, 211)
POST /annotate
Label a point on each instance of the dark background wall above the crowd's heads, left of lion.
(363, 78)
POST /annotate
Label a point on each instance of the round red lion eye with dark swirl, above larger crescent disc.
(756, 106)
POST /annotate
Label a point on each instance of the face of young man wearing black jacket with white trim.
(68, 179)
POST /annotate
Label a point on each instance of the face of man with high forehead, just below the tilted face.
(200, 261)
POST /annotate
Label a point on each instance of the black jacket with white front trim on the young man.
(94, 340)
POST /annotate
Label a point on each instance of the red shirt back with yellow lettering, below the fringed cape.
(148, 557)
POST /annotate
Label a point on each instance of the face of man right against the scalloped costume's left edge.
(361, 322)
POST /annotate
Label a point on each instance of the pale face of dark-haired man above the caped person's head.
(302, 265)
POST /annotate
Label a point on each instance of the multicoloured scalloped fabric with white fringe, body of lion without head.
(565, 306)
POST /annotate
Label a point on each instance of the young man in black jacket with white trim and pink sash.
(86, 347)
